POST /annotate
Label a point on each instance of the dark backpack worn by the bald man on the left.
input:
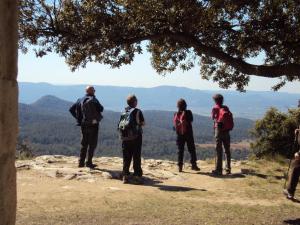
(90, 115)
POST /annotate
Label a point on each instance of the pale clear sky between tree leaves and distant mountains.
(52, 69)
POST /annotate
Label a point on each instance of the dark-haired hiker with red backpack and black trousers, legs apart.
(182, 121)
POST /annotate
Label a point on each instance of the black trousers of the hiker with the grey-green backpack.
(132, 150)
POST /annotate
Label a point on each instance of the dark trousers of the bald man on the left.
(89, 140)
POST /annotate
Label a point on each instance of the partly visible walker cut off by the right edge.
(295, 169)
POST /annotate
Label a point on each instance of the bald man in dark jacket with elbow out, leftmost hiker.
(88, 113)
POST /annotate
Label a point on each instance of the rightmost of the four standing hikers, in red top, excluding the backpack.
(222, 137)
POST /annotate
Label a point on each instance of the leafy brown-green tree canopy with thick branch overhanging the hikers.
(221, 36)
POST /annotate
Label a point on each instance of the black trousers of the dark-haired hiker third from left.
(189, 140)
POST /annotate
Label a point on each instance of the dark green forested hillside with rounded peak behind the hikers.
(50, 129)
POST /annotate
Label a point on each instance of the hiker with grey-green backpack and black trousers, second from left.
(130, 128)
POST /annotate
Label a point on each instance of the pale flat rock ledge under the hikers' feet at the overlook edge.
(64, 167)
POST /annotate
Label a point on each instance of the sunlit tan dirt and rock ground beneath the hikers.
(51, 190)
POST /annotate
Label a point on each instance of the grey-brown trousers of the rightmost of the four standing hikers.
(222, 139)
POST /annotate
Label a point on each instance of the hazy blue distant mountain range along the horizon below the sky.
(251, 104)
